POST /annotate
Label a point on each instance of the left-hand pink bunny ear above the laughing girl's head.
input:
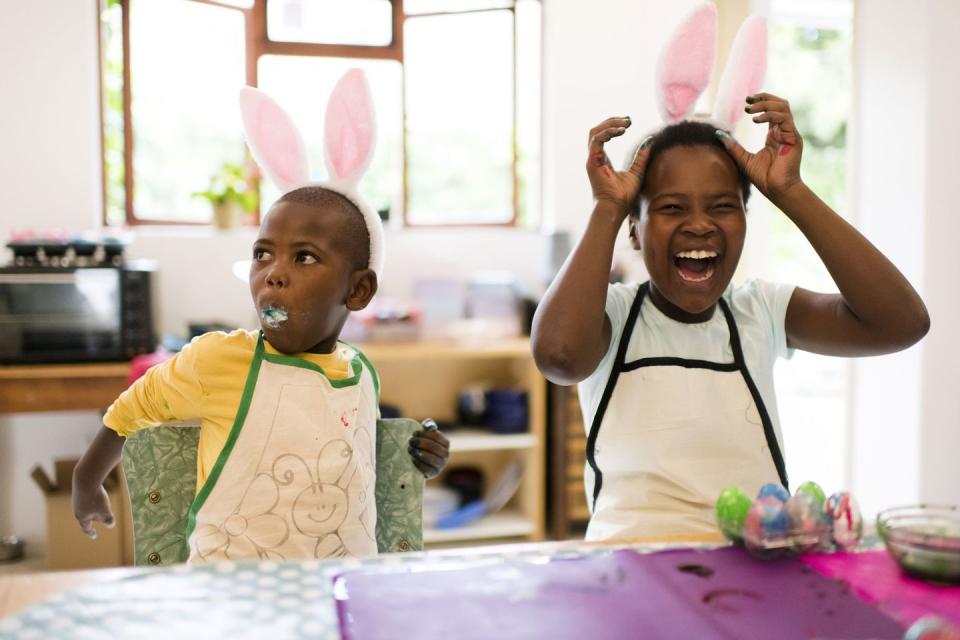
(686, 63)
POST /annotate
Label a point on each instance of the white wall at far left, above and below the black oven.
(49, 178)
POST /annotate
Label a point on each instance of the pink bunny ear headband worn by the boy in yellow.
(349, 130)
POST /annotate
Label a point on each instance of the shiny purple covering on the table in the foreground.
(683, 593)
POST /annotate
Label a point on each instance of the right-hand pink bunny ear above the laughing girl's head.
(744, 72)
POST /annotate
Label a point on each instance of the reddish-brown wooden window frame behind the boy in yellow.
(259, 44)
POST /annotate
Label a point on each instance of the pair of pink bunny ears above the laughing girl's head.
(686, 64)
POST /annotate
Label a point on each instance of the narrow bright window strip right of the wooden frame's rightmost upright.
(528, 112)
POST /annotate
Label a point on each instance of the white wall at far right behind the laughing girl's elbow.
(906, 411)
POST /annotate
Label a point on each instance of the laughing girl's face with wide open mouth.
(691, 229)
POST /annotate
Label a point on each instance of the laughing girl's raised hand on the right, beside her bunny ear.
(775, 169)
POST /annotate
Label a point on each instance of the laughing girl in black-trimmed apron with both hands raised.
(676, 375)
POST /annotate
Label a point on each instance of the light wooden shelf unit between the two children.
(424, 379)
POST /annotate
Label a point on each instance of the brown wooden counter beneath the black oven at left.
(61, 387)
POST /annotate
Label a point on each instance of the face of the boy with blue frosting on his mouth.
(303, 283)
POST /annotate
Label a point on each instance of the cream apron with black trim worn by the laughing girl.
(670, 434)
